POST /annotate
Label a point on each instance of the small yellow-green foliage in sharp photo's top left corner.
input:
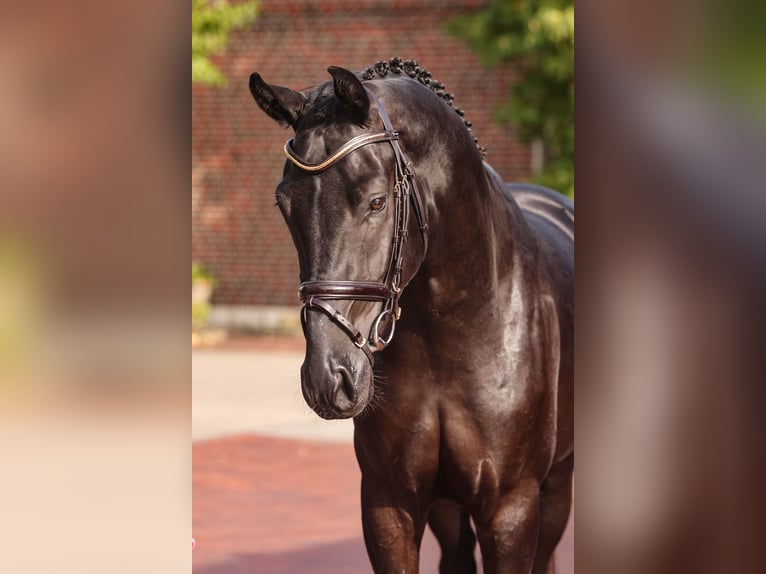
(211, 24)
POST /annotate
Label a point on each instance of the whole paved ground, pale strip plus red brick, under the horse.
(275, 488)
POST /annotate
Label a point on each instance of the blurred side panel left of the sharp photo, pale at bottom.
(95, 390)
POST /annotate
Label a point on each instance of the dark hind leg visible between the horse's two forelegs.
(452, 527)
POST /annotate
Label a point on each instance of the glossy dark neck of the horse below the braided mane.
(478, 234)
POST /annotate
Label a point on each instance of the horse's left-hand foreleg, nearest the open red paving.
(393, 529)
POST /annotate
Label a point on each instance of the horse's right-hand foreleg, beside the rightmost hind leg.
(508, 537)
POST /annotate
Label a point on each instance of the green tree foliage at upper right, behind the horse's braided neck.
(538, 36)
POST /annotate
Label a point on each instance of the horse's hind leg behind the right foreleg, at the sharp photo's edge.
(555, 504)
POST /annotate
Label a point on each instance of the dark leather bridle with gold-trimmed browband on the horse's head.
(316, 294)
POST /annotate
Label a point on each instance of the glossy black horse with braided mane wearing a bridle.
(464, 416)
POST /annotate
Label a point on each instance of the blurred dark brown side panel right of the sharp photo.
(670, 285)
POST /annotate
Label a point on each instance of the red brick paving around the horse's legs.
(280, 506)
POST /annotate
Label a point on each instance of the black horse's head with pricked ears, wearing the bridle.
(345, 195)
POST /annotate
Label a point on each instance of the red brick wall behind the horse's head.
(237, 150)
